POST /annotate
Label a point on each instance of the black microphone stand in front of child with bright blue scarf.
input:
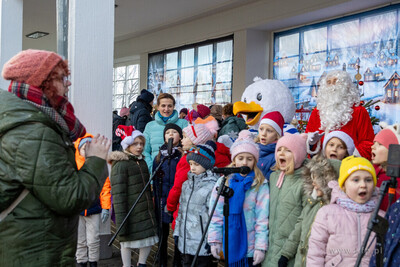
(226, 192)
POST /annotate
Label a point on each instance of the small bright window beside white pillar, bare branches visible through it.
(125, 86)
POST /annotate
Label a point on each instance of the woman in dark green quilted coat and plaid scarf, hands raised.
(37, 157)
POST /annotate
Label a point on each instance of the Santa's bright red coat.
(359, 128)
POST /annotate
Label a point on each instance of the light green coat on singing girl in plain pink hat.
(285, 206)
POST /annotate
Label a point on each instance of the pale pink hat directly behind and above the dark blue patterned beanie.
(200, 133)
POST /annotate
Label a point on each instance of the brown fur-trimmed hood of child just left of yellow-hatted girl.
(323, 170)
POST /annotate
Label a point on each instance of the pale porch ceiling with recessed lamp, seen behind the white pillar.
(132, 17)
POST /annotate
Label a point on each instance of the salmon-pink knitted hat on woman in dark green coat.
(30, 66)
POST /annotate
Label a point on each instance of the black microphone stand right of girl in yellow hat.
(379, 225)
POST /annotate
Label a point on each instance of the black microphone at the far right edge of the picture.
(393, 169)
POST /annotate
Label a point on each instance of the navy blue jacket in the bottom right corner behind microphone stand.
(392, 239)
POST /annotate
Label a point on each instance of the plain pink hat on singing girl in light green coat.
(295, 143)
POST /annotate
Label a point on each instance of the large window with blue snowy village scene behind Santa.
(366, 43)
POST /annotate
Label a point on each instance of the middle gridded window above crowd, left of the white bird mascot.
(199, 73)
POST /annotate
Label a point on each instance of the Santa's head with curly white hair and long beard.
(336, 96)
